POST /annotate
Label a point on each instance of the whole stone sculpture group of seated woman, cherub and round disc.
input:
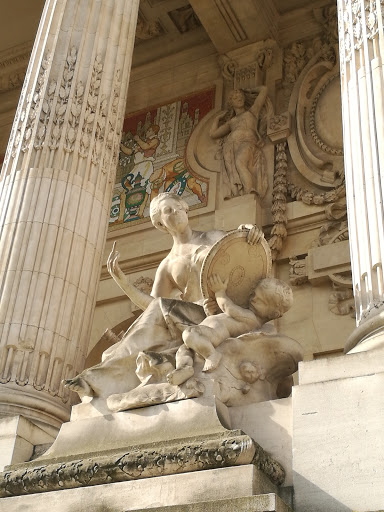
(184, 345)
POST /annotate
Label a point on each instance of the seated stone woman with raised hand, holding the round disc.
(175, 301)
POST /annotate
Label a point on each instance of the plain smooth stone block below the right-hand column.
(338, 434)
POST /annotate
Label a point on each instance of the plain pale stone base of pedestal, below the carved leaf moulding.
(236, 485)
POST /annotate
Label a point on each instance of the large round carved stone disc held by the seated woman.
(243, 264)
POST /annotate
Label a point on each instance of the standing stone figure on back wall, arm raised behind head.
(244, 169)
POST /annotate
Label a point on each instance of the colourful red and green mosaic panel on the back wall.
(152, 158)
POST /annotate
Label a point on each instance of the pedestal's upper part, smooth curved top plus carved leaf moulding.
(162, 440)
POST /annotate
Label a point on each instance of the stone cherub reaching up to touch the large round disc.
(270, 299)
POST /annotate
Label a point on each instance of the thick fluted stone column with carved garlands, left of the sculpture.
(55, 194)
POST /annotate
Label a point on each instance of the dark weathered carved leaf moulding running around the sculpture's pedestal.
(228, 449)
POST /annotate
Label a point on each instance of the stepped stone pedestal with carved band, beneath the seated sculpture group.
(175, 454)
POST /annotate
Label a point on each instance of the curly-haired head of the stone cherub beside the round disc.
(271, 298)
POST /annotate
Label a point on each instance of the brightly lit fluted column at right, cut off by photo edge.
(361, 54)
